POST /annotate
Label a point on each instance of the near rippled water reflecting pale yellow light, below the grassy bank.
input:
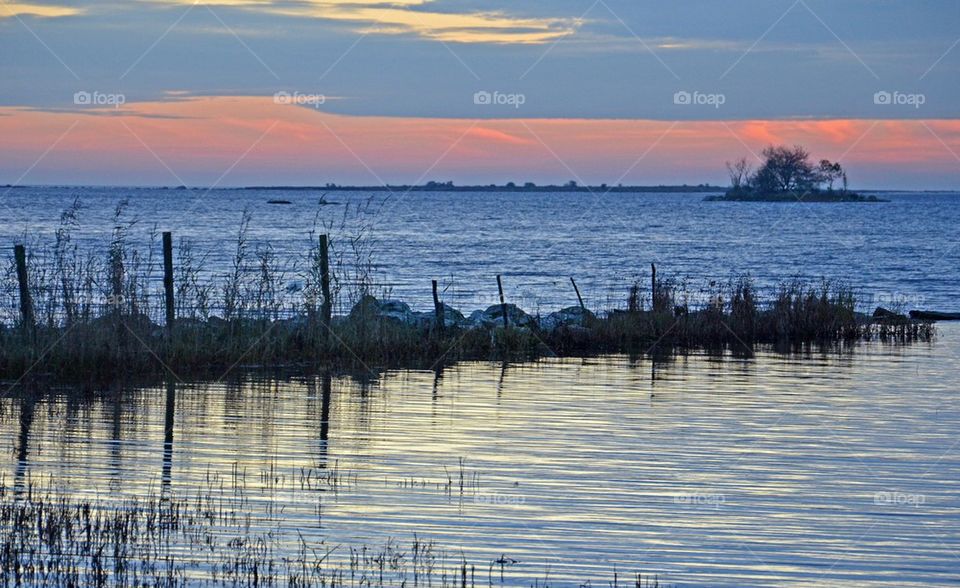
(824, 469)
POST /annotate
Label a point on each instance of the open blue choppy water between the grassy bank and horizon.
(902, 252)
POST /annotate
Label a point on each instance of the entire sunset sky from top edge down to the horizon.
(306, 92)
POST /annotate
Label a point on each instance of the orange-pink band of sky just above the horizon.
(197, 140)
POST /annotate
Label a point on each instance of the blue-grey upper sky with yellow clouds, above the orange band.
(603, 59)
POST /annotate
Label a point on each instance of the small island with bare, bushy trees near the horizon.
(787, 174)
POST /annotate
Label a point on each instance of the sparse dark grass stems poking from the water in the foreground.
(223, 533)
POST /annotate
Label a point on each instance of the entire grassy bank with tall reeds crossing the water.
(97, 316)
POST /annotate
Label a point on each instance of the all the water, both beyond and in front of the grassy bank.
(833, 468)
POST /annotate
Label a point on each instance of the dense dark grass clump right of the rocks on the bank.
(731, 315)
